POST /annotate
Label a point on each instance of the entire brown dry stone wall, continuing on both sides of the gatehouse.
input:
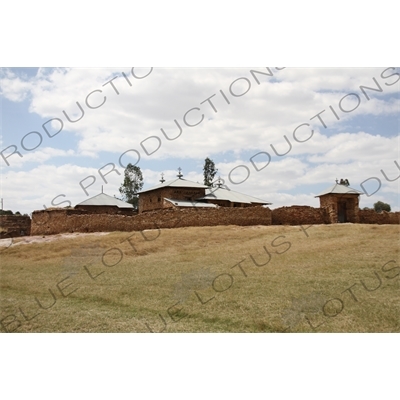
(49, 222)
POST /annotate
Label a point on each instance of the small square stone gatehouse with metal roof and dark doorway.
(341, 202)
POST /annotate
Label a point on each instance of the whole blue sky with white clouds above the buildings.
(280, 134)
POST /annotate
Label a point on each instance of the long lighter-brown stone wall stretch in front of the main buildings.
(50, 222)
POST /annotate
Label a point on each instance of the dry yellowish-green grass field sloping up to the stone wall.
(324, 278)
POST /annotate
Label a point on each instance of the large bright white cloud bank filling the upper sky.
(268, 110)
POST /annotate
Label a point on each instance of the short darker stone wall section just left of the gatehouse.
(299, 215)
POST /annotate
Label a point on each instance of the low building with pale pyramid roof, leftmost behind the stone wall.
(105, 204)
